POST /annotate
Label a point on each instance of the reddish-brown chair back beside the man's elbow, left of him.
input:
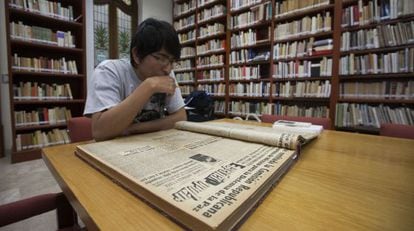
(80, 129)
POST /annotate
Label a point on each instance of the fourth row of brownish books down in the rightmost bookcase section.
(378, 90)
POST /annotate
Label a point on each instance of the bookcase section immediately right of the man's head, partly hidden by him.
(203, 62)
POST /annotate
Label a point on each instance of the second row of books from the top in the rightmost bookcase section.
(388, 35)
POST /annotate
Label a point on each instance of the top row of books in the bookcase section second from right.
(283, 8)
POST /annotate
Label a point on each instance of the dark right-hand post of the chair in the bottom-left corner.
(66, 216)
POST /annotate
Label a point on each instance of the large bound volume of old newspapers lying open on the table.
(205, 176)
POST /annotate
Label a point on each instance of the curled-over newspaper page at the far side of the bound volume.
(246, 132)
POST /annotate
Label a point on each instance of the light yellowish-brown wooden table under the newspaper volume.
(342, 181)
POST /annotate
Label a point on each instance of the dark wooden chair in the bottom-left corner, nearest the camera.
(33, 206)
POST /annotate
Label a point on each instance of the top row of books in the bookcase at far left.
(44, 7)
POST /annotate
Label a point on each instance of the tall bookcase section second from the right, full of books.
(303, 51)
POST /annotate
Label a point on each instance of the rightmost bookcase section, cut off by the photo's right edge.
(376, 72)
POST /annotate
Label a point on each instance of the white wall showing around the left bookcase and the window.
(160, 9)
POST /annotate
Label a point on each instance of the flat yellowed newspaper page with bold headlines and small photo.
(207, 177)
